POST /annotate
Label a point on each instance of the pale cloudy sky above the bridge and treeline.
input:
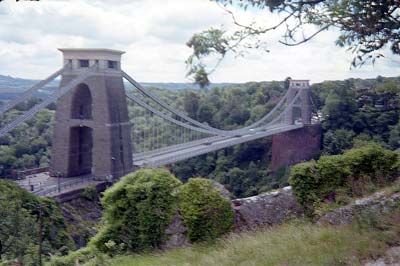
(153, 33)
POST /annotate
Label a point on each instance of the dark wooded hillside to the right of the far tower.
(355, 110)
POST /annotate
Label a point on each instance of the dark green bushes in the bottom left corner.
(21, 214)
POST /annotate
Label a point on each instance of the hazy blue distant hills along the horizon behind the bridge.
(10, 87)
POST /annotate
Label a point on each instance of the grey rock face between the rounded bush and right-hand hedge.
(265, 209)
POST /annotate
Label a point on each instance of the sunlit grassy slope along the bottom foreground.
(288, 244)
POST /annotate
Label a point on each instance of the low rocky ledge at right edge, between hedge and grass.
(378, 203)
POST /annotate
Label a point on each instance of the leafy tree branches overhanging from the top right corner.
(365, 28)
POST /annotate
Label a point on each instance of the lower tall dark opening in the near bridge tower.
(80, 151)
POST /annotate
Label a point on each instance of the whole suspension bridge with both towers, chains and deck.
(97, 135)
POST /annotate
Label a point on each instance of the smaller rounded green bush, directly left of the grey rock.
(205, 212)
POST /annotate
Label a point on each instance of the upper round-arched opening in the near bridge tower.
(82, 103)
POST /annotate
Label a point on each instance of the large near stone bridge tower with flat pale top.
(92, 129)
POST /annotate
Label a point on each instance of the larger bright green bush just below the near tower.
(137, 210)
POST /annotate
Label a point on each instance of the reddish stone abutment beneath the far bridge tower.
(295, 146)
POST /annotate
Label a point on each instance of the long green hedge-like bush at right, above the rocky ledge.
(355, 173)
